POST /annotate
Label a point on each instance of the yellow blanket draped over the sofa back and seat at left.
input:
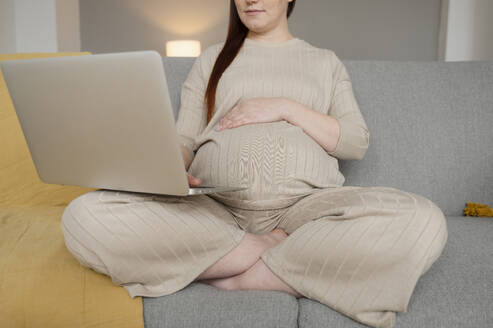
(41, 283)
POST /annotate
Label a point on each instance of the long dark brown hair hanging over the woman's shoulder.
(237, 32)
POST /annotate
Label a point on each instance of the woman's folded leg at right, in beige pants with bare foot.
(359, 250)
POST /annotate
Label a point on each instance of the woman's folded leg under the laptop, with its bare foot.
(155, 245)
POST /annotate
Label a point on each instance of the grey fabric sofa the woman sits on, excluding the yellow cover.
(431, 133)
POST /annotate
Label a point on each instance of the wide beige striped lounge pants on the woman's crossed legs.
(359, 250)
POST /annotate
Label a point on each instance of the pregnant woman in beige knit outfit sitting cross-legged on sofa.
(271, 112)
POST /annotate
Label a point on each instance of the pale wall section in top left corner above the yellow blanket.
(39, 26)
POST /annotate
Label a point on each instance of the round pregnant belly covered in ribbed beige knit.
(275, 160)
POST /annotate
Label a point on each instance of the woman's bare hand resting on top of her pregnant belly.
(253, 110)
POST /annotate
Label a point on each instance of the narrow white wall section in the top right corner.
(467, 30)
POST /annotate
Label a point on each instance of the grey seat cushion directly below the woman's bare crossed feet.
(202, 305)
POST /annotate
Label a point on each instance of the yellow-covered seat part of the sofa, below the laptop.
(43, 285)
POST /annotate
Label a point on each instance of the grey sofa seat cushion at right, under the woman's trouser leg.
(457, 291)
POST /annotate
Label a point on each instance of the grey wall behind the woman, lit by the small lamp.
(354, 29)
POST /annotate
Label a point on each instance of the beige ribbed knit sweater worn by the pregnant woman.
(278, 161)
